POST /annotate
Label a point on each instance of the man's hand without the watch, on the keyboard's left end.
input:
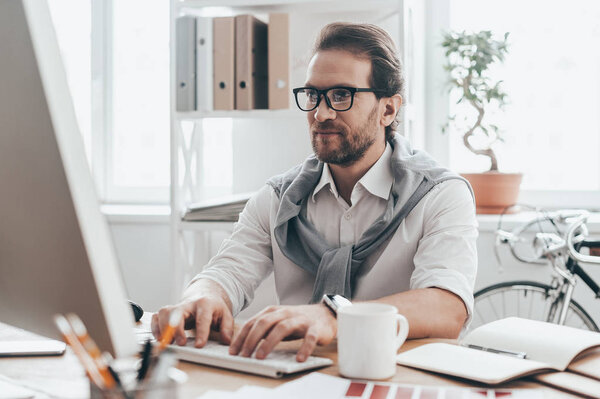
(203, 311)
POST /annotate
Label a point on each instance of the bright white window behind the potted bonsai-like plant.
(551, 74)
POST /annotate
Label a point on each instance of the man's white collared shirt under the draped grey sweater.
(435, 245)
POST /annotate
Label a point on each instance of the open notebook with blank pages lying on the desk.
(547, 347)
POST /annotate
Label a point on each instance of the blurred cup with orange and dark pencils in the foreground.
(152, 377)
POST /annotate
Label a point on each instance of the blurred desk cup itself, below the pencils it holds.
(168, 387)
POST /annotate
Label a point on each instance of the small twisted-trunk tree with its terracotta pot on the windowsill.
(469, 56)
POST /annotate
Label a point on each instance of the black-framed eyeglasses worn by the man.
(339, 98)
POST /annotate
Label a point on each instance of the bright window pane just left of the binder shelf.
(140, 95)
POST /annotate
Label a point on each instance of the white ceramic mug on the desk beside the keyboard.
(369, 336)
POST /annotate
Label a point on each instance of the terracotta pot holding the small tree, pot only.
(494, 191)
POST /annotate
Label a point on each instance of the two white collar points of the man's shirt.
(378, 179)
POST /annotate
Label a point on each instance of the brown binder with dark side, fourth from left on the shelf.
(252, 85)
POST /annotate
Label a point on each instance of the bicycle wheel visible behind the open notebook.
(526, 299)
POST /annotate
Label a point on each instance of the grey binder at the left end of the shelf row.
(185, 59)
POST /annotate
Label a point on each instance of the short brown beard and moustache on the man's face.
(352, 145)
